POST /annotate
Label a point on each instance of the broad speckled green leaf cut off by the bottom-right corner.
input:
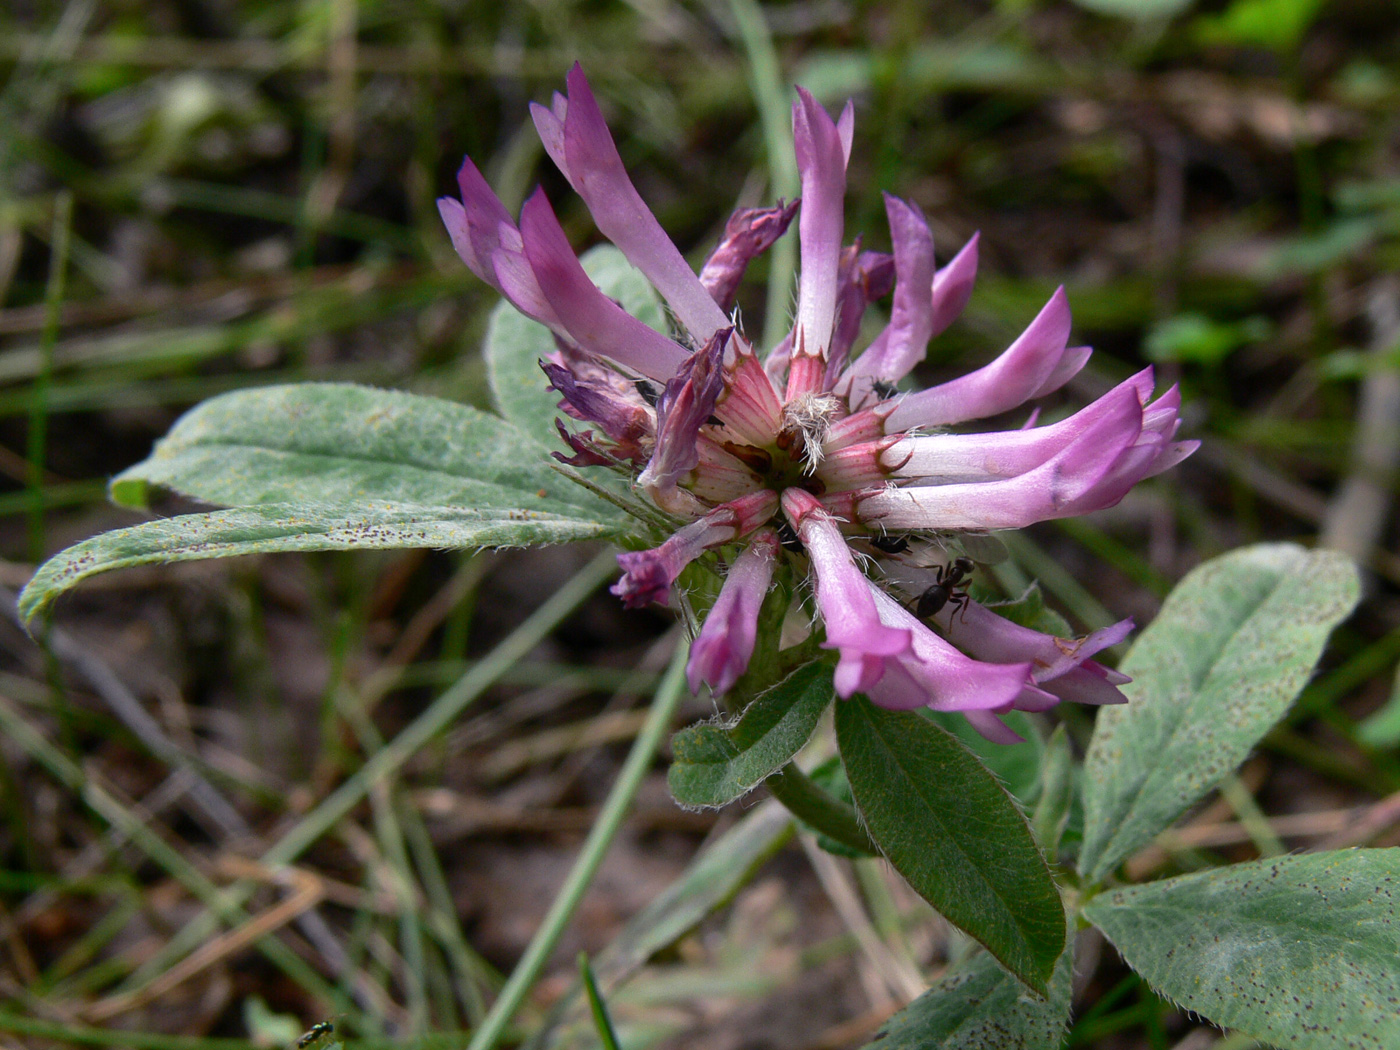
(1297, 951)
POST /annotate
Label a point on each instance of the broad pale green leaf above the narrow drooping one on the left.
(344, 444)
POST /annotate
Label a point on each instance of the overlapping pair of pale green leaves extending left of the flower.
(332, 467)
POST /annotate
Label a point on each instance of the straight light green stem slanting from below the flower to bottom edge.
(619, 800)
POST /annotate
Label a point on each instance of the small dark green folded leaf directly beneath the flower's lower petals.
(716, 765)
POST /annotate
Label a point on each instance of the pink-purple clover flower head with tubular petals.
(810, 453)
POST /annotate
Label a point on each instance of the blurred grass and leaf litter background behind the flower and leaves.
(204, 195)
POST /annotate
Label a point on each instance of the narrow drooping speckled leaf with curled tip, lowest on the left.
(297, 527)
